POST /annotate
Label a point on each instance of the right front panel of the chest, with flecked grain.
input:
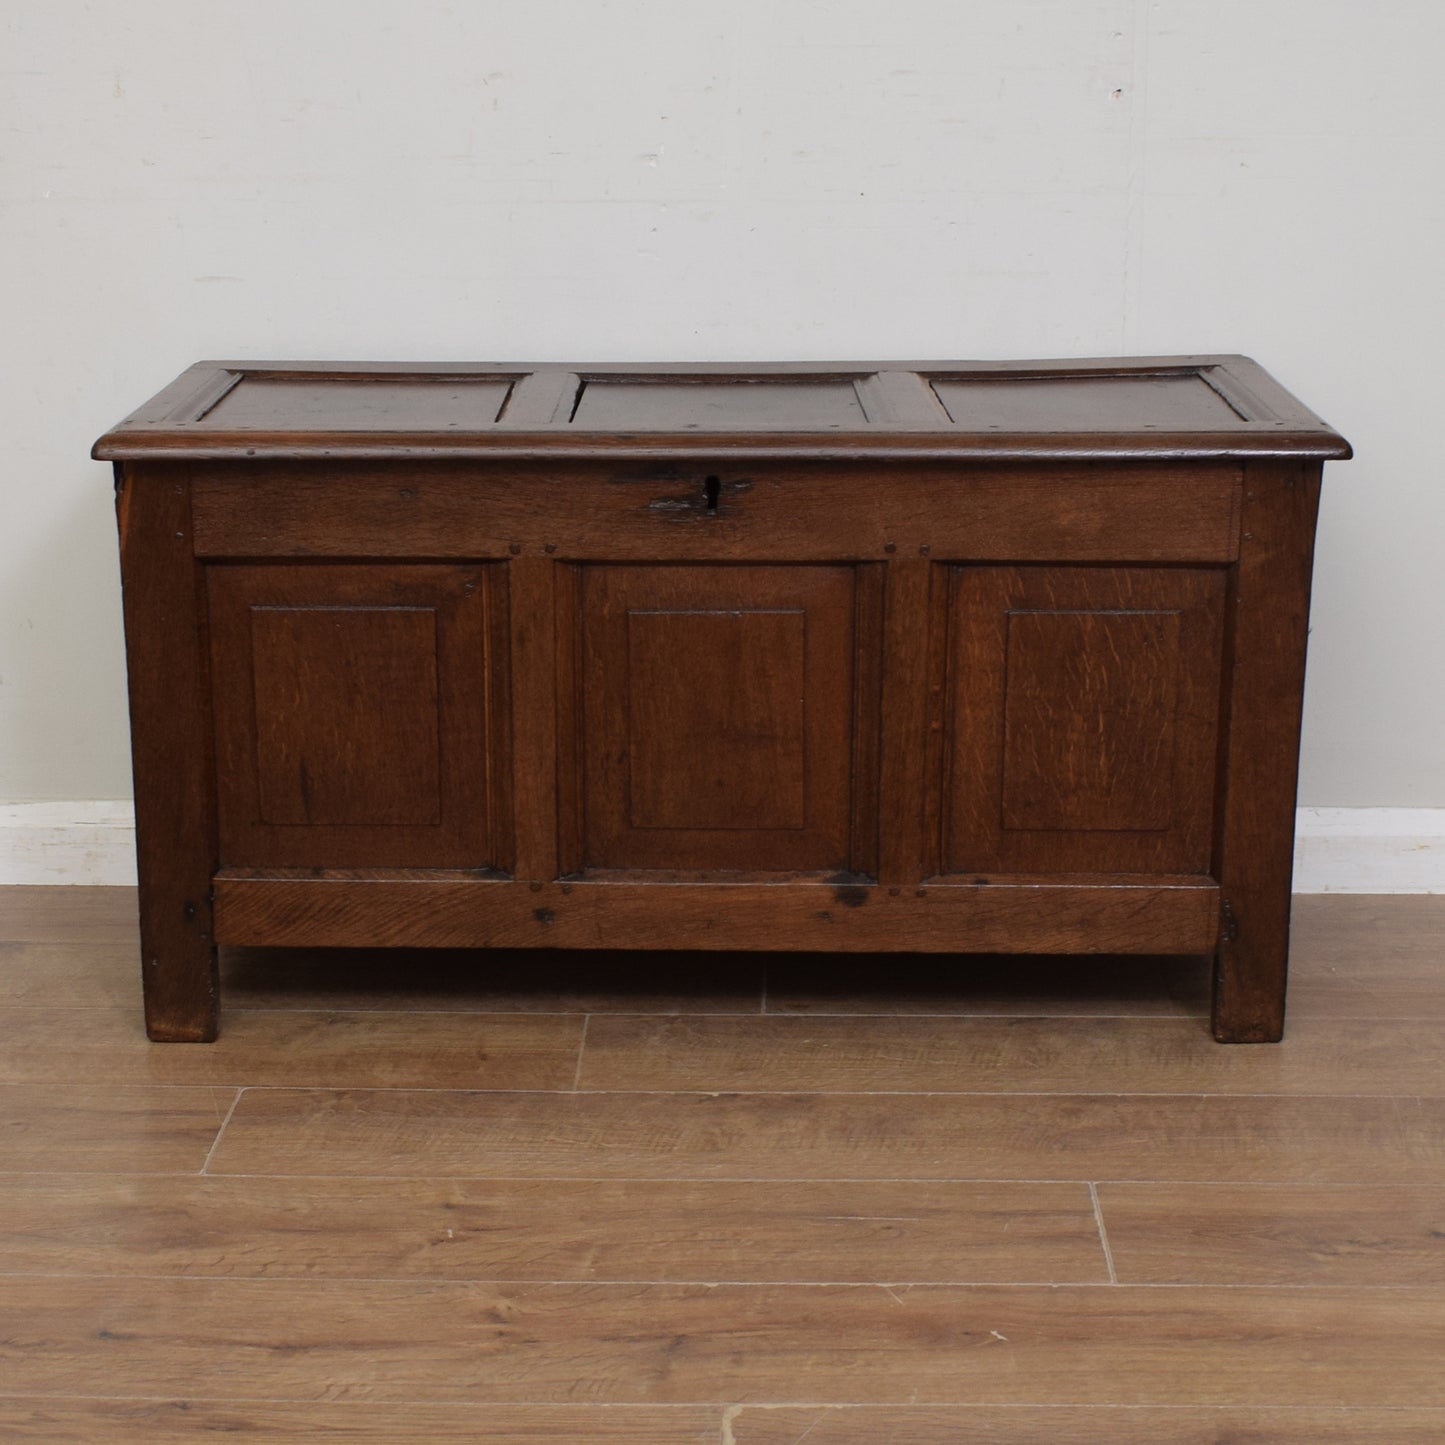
(1083, 719)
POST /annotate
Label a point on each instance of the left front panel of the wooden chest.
(359, 716)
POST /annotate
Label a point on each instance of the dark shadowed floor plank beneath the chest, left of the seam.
(491, 980)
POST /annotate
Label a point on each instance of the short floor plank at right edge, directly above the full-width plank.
(1275, 1235)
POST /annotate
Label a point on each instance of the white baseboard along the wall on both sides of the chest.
(1337, 850)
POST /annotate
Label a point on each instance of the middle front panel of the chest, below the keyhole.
(720, 717)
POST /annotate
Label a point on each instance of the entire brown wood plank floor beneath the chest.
(722, 1199)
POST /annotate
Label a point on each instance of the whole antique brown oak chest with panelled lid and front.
(953, 658)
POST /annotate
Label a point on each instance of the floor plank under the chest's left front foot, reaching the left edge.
(288, 1048)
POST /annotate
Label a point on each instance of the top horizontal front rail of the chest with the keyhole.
(641, 511)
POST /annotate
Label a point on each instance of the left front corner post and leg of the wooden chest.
(173, 751)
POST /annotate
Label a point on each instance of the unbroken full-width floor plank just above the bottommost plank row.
(282, 1340)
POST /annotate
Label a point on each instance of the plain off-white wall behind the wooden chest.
(670, 180)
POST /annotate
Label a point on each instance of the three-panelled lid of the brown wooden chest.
(1138, 407)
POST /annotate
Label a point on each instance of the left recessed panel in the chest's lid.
(261, 401)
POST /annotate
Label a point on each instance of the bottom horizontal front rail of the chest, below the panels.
(1110, 914)
